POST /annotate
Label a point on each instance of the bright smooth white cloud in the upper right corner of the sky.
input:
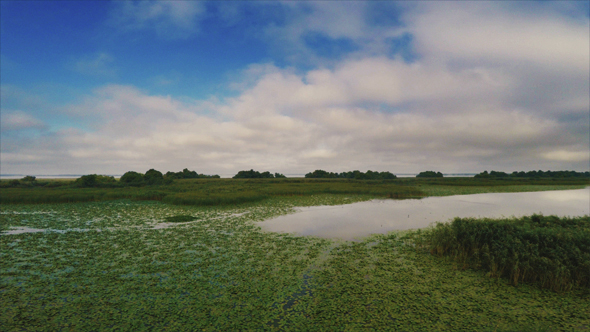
(495, 33)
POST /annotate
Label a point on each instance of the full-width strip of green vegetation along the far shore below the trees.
(214, 191)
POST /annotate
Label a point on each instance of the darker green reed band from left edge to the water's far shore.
(209, 192)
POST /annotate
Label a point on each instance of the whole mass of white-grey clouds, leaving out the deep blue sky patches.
(491, 86)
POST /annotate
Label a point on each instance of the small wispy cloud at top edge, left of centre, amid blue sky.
(169, 19)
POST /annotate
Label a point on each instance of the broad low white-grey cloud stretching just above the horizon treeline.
(138, 130)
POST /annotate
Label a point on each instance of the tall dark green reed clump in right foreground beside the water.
(548, 251)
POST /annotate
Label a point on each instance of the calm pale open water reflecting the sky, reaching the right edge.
(381, 216)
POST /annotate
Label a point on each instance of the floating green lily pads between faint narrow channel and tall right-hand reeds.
(383, 282)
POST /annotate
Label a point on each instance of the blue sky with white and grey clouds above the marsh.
(291, 87)
